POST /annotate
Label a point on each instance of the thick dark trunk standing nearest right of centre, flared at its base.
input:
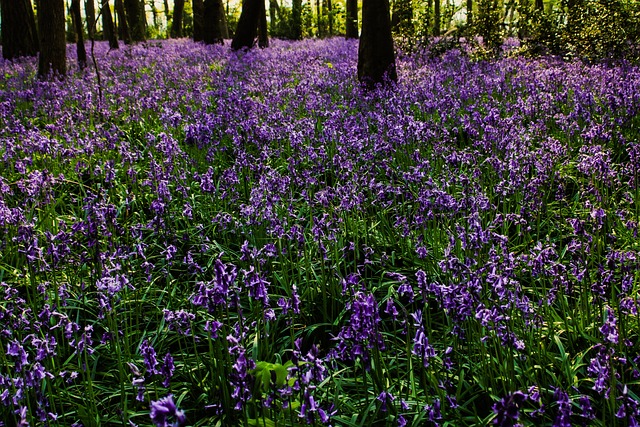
(376, 58)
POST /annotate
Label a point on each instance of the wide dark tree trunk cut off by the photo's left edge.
(19, 34)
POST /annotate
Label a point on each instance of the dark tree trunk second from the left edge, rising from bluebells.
(53, 46)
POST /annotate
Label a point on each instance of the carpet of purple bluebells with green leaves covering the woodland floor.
(194, 236)
